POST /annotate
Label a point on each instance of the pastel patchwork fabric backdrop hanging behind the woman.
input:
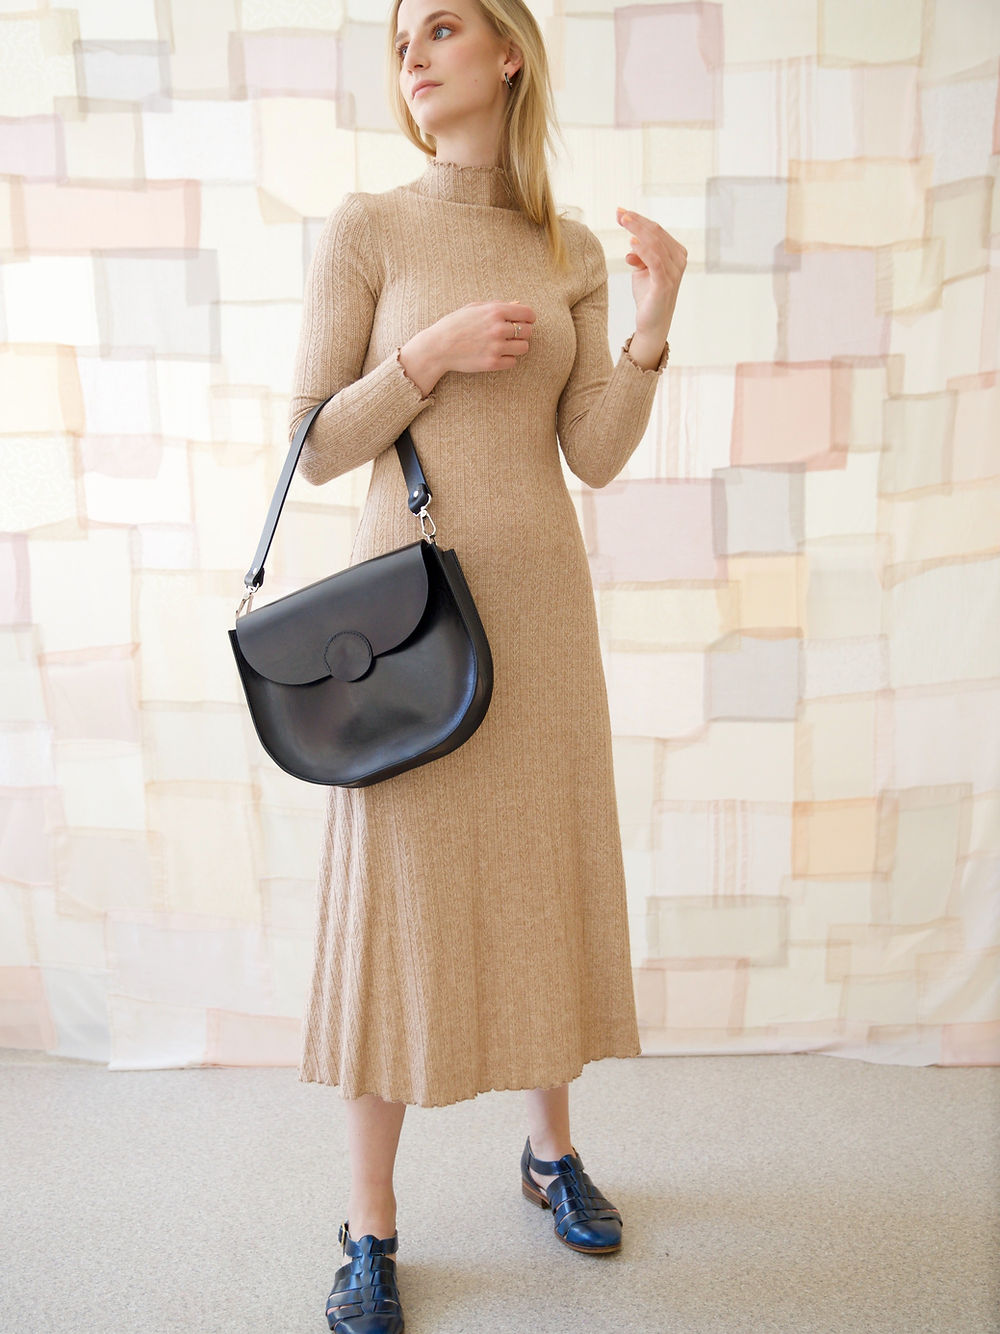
(798, 576)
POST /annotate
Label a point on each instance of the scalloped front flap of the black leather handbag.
(378, 601)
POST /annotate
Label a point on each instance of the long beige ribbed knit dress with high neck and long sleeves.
(471, 921)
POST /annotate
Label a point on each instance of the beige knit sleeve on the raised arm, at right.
(605, 408)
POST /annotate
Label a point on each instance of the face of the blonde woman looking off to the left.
(457, 51)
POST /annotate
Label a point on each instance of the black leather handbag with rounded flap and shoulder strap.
(371, 672)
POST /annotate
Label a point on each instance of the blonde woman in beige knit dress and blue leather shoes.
(473, 928)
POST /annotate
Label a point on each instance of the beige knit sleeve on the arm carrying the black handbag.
(369, 412)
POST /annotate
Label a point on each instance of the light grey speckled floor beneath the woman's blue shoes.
(798, 1195)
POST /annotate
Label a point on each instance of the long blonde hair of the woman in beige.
(529, 121)
